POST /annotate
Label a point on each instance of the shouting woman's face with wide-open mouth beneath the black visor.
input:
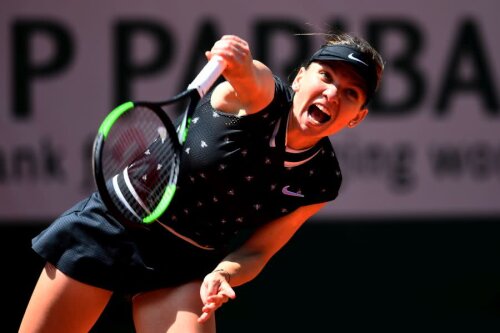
(328, 97)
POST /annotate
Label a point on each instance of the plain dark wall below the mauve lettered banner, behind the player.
(426, 275)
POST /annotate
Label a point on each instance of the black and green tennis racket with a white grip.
(136, 152)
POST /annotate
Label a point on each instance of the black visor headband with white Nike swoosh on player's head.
(363, 63)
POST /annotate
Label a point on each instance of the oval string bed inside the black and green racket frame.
(140, 164)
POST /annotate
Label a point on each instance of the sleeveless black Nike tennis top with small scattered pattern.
(236, 174)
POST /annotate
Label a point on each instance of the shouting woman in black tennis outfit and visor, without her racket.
(264, 166)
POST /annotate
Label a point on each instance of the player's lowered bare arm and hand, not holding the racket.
(245, 263)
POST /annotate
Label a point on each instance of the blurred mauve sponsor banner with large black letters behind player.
(430, 145)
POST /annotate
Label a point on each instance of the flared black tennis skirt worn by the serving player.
(88, 244)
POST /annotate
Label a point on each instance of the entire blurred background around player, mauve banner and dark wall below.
(410, 244)
